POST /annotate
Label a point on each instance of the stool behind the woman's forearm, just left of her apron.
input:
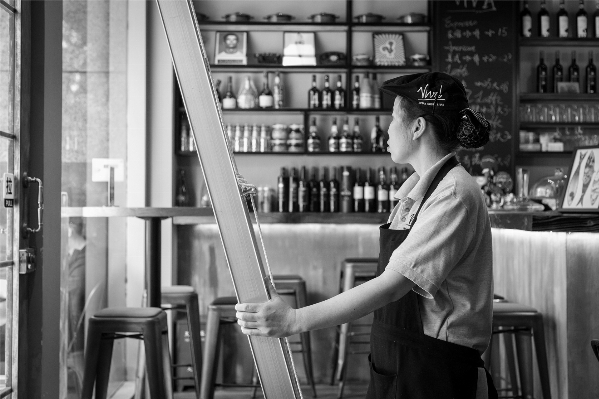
(354, 271)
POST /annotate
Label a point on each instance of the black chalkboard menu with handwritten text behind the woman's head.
(475, 41)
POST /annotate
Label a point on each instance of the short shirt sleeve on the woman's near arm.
(436, 243)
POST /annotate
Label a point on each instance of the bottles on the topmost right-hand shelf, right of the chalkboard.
(583, 27)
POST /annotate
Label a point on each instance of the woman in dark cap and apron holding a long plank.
(432, 297)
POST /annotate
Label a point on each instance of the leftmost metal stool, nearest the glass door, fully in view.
(109, 324)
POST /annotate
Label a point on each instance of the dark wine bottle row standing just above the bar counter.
(344, 190)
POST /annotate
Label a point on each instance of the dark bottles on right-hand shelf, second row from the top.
(558, 78)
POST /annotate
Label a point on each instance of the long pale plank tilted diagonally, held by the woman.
(272, 356)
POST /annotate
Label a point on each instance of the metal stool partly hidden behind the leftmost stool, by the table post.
(184, 298)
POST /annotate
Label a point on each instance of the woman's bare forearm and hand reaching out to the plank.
(276, 318)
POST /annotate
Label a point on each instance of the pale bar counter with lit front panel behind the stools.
(555, 272)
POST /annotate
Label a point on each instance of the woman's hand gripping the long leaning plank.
(274, 318)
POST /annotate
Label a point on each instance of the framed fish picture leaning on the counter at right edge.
(582, 191)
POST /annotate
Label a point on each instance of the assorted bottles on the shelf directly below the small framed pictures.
(364, 94)
